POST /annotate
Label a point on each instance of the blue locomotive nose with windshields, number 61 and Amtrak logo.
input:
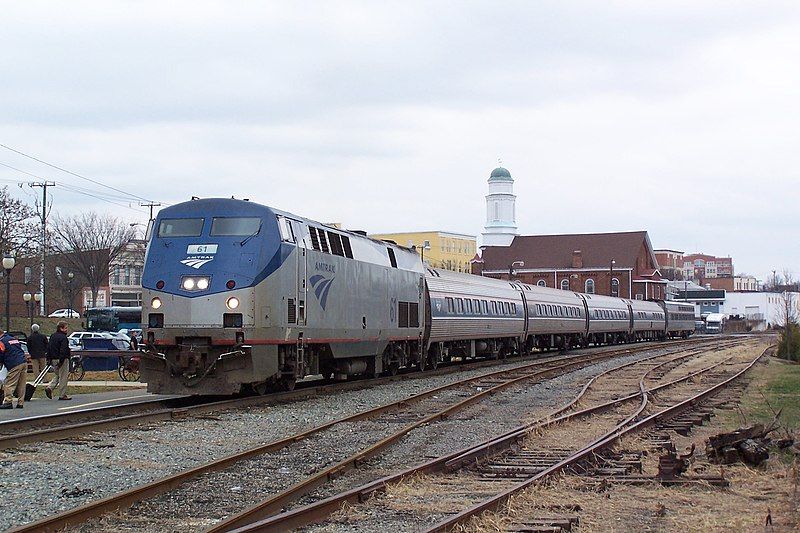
(210, 246)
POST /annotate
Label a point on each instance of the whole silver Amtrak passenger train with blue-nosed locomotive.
(239, 296)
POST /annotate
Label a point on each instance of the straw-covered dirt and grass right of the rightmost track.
(754, 494)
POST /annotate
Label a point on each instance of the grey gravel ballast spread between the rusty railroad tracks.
(71, 473)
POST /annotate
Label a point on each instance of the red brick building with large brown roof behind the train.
(619, 264)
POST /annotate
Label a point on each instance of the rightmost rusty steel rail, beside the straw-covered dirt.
(607, 440)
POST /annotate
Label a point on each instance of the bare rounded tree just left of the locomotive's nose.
(90, 243)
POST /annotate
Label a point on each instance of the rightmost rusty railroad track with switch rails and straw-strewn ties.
(533, 465)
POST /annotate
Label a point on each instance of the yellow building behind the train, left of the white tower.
(445, 250)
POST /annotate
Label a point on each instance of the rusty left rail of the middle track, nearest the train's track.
(131, 496)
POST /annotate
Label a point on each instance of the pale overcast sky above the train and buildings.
(679, 118)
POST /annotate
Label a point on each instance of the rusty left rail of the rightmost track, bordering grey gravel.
(310, 513)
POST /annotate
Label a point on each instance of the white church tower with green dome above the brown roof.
(501, 226)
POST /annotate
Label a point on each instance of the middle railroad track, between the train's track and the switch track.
(477, 387)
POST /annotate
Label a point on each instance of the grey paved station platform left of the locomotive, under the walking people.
(39, 405)
